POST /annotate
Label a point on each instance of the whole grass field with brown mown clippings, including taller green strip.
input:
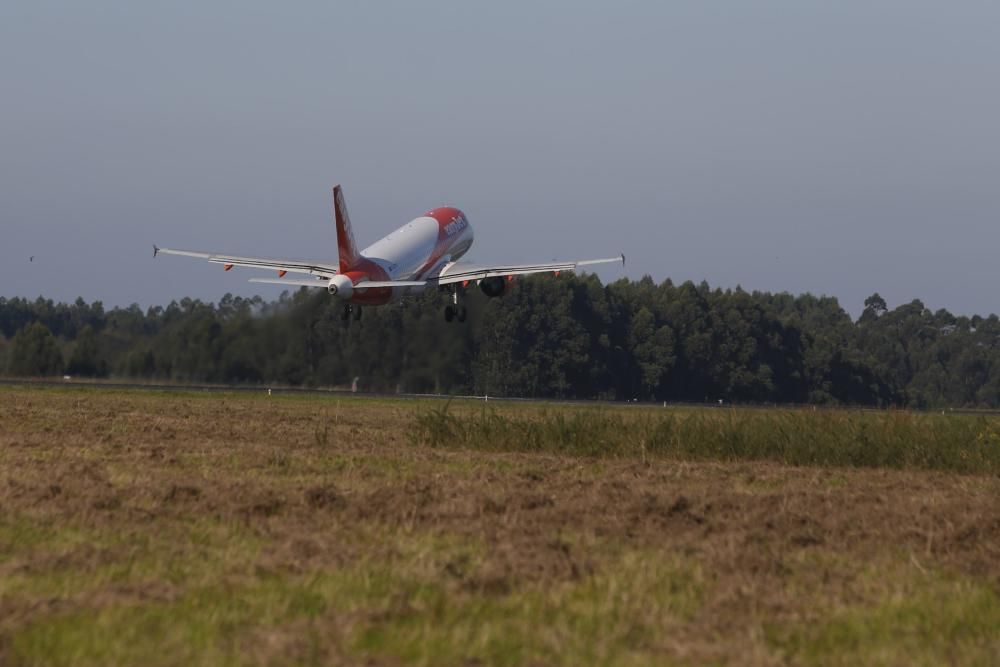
(141, 528)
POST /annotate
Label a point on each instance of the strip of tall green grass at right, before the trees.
(964, 444)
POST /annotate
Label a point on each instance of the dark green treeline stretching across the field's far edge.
(568, 337)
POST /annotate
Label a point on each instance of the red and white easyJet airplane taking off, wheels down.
(424, 253)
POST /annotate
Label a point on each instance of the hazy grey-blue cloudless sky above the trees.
(838, 148)
